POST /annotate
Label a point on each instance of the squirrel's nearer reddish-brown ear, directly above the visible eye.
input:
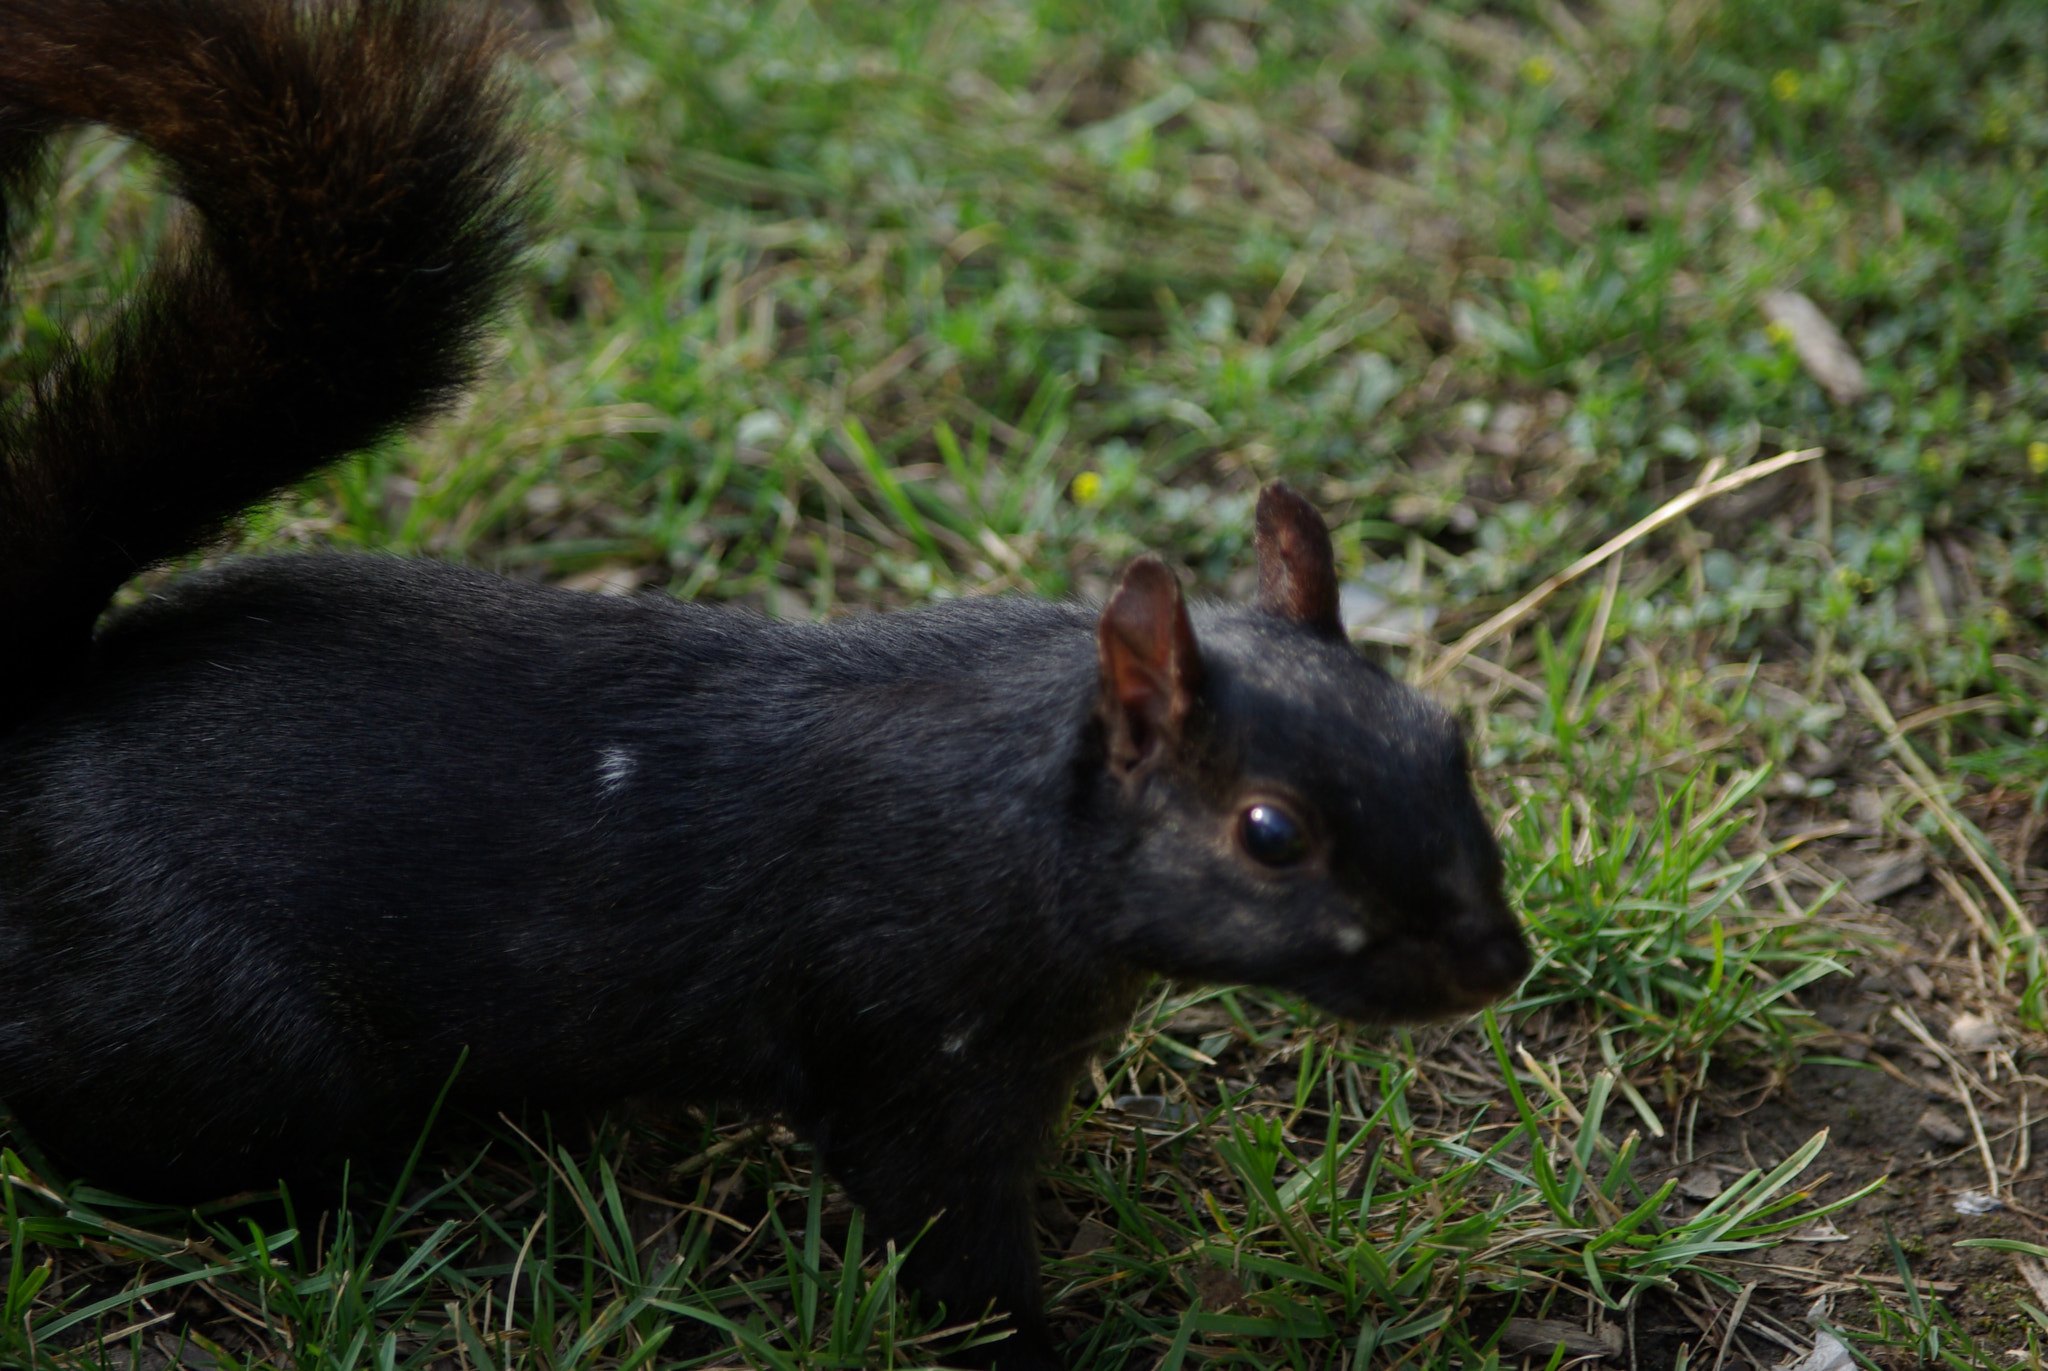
(1152, 667)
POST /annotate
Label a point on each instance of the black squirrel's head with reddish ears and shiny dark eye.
(1299, 817)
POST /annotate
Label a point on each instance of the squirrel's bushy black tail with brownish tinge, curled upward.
(361, 202)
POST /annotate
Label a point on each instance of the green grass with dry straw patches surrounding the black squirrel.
(857, 306)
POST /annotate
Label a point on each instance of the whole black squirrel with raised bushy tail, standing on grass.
(286, 841)
